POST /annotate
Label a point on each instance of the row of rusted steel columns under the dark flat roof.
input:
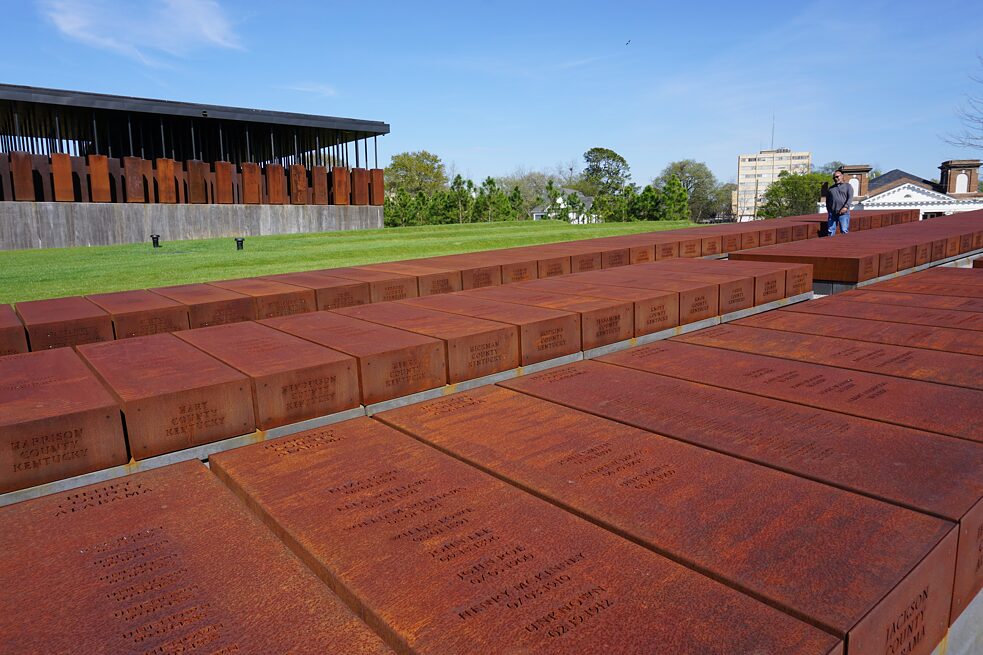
(98, 178)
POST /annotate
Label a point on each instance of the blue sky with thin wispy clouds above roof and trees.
(497, 87)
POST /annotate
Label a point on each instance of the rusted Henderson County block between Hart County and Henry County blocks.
(292, 379)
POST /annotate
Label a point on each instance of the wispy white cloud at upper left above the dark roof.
(147, 31)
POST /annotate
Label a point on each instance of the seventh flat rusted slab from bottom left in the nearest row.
(899, 334)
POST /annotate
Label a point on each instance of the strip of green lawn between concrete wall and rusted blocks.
(55, 272)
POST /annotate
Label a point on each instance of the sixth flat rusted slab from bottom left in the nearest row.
(898, 361)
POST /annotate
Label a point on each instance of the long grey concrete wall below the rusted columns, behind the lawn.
(55, 225)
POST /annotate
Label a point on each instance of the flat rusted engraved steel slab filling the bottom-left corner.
(164, 561)
